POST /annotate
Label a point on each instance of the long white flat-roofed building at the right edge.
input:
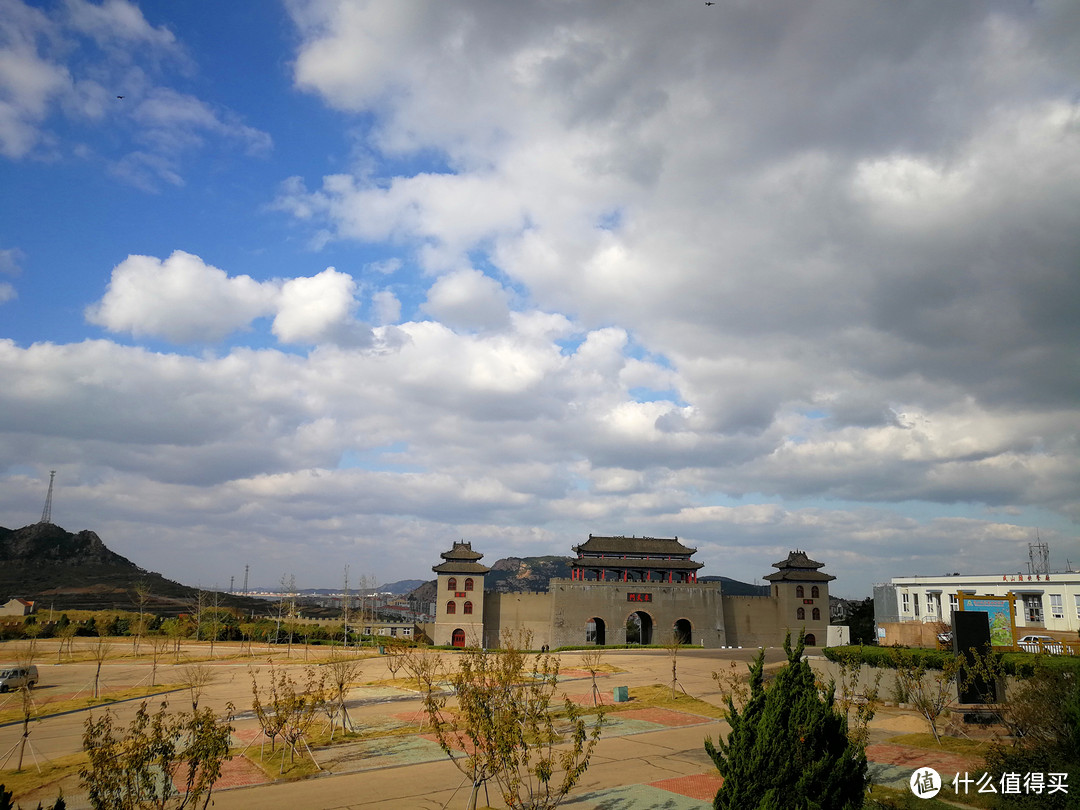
(1047, 604)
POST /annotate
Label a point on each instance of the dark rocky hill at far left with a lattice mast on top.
(66, 572)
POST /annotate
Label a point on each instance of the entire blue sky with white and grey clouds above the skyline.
(321, 283)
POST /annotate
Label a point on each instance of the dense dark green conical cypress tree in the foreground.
(789, 747)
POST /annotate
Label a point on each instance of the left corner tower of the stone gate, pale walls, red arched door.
(460, 598)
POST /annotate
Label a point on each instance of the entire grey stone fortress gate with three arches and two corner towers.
(642, 590)
